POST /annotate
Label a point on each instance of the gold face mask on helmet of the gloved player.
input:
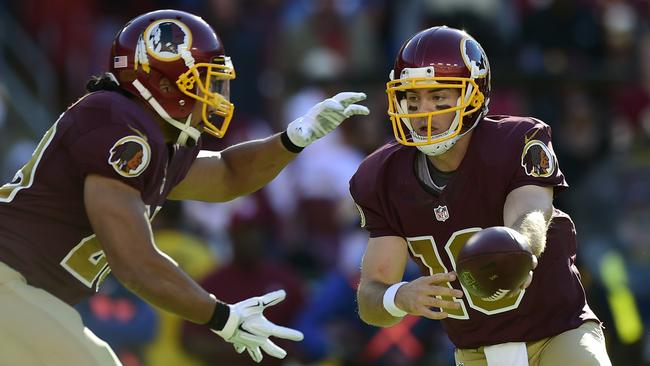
(209, 83)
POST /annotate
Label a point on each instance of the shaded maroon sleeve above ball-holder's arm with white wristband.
(364, 189)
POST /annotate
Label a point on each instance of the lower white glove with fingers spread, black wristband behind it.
(248, 329)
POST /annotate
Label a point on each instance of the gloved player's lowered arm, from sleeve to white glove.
(119, 219)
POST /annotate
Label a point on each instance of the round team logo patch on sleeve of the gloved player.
(130, 156)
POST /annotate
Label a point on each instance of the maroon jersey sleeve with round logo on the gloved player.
(113, 150)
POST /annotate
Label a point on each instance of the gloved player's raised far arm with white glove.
(247, 167)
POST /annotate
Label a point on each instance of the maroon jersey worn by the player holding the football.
(504, 153)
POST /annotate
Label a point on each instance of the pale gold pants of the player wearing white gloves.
(36, 328)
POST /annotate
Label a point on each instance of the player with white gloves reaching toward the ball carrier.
(81, 207)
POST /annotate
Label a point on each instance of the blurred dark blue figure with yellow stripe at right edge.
(612, 204)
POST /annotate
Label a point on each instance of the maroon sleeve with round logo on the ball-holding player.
(535, 161)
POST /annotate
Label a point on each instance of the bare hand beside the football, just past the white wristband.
(419, 296)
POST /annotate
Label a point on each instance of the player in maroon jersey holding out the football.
(453, 171)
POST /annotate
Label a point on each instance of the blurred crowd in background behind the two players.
(582, 66)
